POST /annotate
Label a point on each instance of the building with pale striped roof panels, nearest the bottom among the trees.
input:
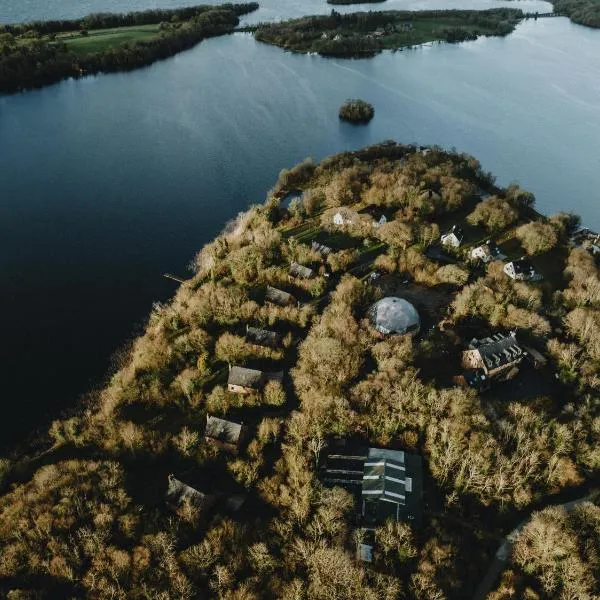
(387, 483)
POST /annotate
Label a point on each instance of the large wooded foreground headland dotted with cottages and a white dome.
(369, 381)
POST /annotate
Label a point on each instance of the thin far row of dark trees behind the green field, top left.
(108, 20)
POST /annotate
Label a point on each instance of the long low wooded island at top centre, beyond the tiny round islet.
(364, 34)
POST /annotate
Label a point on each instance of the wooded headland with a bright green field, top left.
(41, 53)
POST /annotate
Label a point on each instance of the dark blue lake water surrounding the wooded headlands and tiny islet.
(110, 181)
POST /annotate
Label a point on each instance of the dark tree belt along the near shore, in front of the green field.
(30, 62)
